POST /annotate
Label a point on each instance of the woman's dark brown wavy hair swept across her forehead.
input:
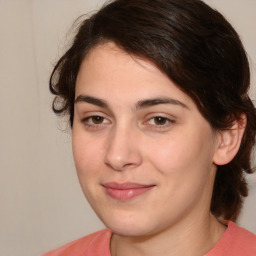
(198, 49)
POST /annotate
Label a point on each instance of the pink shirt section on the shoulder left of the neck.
(96, 243)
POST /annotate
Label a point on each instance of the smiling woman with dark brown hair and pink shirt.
(162, 128)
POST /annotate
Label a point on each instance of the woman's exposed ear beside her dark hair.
(229, 141)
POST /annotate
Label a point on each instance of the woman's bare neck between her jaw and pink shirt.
(197, 238)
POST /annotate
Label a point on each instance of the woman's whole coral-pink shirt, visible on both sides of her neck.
(236, 241)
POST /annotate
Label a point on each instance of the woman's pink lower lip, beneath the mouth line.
(126, 194)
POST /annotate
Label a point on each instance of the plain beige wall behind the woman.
(42, 206)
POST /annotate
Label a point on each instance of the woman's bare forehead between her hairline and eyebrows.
(107, 69)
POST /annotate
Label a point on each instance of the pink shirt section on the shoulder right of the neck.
(236, 241)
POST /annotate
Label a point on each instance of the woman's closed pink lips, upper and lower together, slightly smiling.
(126, 191)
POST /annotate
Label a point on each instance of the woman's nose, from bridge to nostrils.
(122, 150)
